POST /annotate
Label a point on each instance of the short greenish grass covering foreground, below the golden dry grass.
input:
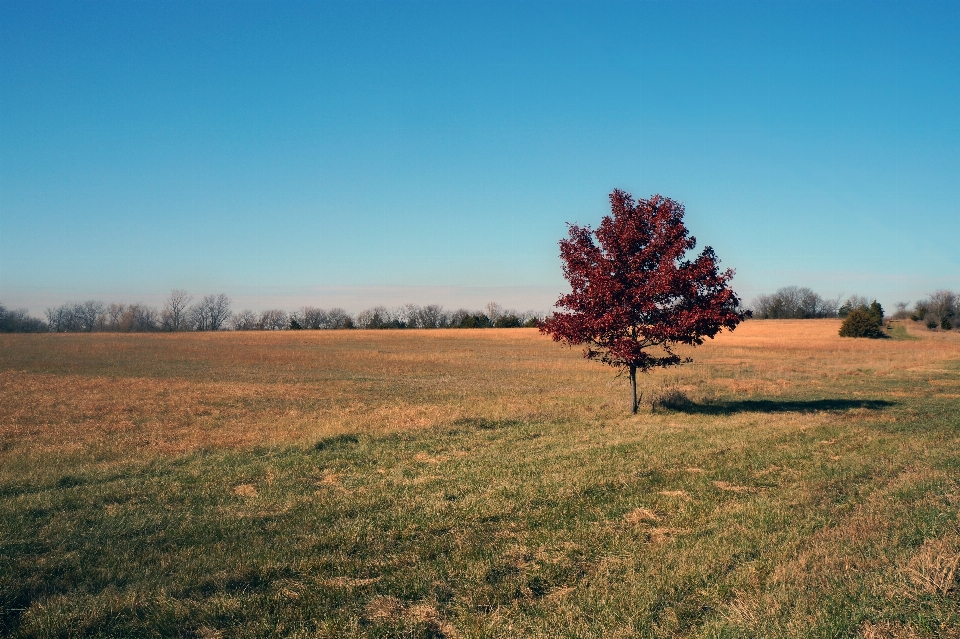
(440, 534)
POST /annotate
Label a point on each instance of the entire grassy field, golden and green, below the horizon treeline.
(484, 483)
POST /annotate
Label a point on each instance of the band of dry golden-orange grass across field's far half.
(176, 393)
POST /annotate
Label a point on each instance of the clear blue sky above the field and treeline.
(355, 153)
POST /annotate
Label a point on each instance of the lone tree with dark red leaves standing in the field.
(634, 296)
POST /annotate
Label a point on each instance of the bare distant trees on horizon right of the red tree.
(940, 310)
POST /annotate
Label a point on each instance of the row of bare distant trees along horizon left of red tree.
(213, 313)
